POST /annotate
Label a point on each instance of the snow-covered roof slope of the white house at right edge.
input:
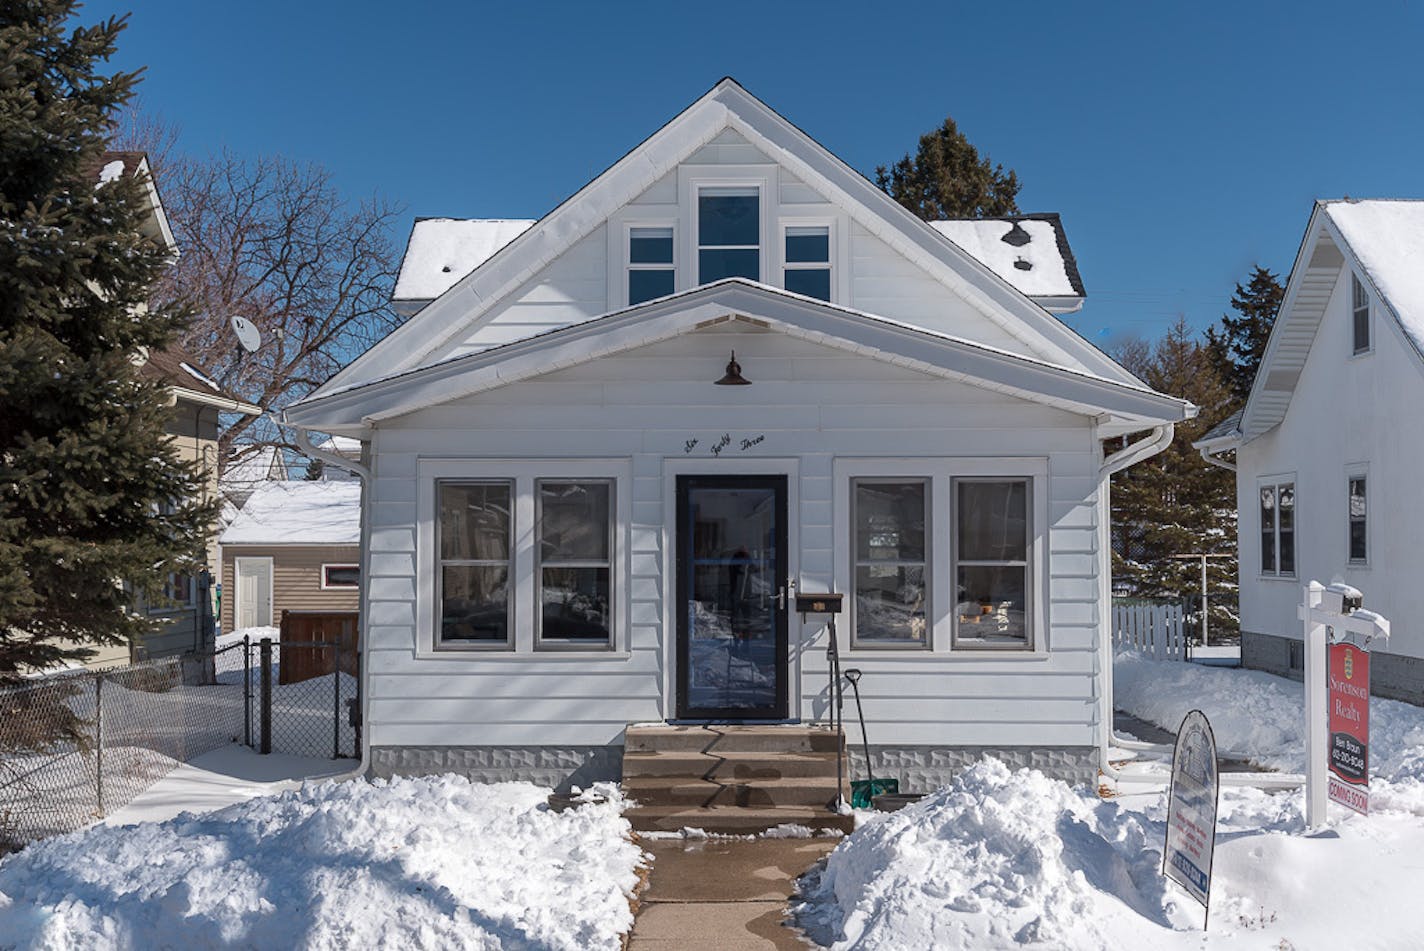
(1388, 240)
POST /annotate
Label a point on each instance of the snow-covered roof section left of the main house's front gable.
(445, 250)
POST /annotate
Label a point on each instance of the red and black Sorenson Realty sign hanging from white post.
(1348, 691)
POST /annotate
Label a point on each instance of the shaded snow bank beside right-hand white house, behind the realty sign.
(1261, 715)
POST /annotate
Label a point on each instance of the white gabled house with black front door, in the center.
(600, 463)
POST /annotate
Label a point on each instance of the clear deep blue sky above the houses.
(1181, 143)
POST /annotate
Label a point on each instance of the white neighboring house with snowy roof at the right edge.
(1331, 445)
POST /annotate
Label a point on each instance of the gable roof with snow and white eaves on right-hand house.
(1379, 240)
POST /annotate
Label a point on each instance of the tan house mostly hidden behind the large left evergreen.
(197, 401)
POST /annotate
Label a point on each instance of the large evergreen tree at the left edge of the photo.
(96, 509)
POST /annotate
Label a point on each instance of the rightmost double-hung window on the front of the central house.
(992, 564)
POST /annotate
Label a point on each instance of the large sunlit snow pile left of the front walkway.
(434, 862)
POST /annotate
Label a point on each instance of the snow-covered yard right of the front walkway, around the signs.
(1012, 859)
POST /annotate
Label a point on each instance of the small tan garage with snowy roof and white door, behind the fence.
(294, 547)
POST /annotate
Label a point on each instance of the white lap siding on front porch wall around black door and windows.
(811, 405)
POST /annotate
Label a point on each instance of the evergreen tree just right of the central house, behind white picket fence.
(1177, 503)
